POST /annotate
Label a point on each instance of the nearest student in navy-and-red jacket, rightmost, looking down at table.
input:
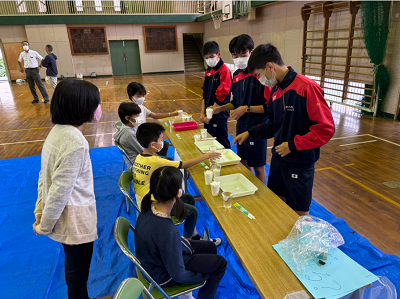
(300, 122)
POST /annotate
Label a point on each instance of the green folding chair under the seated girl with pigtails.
(121, 230)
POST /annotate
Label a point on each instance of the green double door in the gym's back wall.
(125, 57)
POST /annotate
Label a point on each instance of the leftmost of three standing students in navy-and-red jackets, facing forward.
(216, 92)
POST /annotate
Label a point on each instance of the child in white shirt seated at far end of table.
(137, 92)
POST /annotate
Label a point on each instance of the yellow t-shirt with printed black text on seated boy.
(143, 168)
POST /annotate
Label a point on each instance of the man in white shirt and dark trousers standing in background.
(32, 68)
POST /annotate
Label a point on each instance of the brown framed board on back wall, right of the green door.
(160, 39)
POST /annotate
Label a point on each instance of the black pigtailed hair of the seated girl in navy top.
(165, 183)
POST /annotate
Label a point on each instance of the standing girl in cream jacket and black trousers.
(66, 206)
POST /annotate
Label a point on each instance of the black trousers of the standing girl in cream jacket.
(77, 264)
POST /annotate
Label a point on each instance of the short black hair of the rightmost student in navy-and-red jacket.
(262, 55)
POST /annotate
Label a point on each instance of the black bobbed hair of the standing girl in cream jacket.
(74, 102)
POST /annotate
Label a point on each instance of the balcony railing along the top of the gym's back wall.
(98, 7)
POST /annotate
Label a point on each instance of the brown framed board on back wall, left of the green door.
(88, 40)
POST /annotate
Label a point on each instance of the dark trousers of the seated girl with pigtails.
(205, 260)
